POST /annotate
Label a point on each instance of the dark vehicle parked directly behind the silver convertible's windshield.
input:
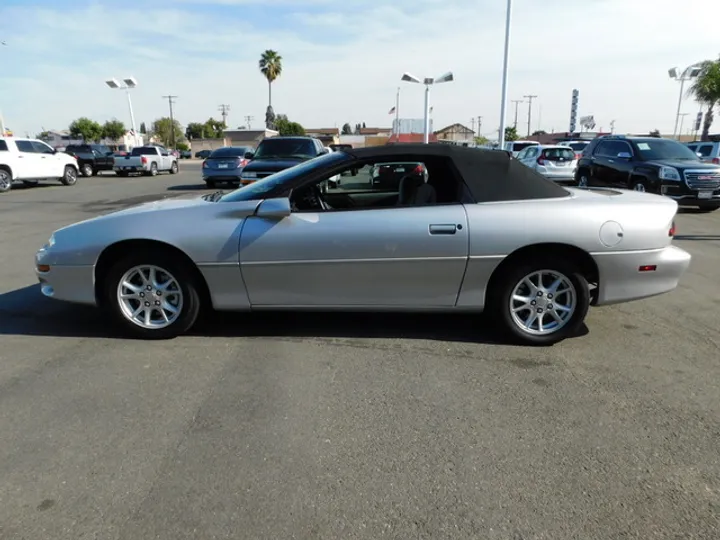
(279, 153)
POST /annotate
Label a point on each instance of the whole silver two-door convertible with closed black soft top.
(477, 231)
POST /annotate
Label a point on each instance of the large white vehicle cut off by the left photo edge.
(30, 160)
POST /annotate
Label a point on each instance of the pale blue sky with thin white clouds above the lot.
(343, 60)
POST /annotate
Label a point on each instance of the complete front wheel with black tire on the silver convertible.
(152, 296)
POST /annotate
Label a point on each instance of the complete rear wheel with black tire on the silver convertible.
(542, 301)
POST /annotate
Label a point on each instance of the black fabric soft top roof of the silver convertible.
(490, 175)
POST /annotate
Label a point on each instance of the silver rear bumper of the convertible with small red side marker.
(622, 281)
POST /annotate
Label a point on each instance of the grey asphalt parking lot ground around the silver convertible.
(352, 426)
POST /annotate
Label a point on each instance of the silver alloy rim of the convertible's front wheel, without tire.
(150, 297)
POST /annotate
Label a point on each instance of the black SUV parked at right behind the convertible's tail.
(655, 165)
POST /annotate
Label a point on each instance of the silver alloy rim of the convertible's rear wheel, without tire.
(542, 295)
